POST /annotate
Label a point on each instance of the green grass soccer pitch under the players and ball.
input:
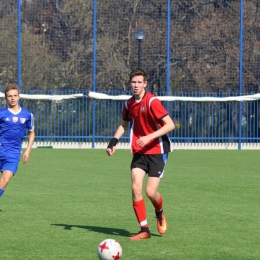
(64, 202)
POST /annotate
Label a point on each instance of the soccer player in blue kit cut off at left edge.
(14, 121)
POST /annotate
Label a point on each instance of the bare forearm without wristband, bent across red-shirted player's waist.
(168, 126)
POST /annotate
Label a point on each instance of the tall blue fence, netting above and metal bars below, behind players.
(90, 45)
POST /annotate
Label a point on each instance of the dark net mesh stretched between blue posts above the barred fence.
(57, 43)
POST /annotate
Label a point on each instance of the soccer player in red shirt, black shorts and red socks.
(150, 146)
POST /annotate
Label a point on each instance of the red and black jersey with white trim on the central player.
(145, 117)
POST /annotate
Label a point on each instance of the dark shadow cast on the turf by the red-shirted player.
(104, 230)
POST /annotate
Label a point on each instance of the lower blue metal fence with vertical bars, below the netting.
(196, 122)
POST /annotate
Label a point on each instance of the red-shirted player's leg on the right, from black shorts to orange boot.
(156, 165)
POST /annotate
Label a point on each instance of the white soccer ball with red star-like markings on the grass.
(109, 249)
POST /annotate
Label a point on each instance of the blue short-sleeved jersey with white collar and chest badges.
(12, 130)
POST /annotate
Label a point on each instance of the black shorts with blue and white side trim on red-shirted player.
(152, 164)
